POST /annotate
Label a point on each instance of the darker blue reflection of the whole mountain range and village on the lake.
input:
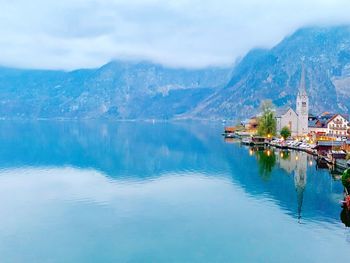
(143, 150)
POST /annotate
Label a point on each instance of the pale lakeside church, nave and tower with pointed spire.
(296, 121)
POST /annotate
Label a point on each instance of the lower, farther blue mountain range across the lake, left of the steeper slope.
(117, 90)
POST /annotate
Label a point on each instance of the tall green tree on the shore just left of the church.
(267, 121)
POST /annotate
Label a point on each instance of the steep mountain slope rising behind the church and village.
(275, 74)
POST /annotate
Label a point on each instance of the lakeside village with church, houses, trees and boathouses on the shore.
(325, 136)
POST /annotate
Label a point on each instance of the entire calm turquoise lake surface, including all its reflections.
(143, 192)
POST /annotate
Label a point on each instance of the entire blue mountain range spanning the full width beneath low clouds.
(142, 90)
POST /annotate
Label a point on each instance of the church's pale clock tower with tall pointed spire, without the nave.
(302, 107)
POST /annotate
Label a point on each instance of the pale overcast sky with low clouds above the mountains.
(69, 34)
